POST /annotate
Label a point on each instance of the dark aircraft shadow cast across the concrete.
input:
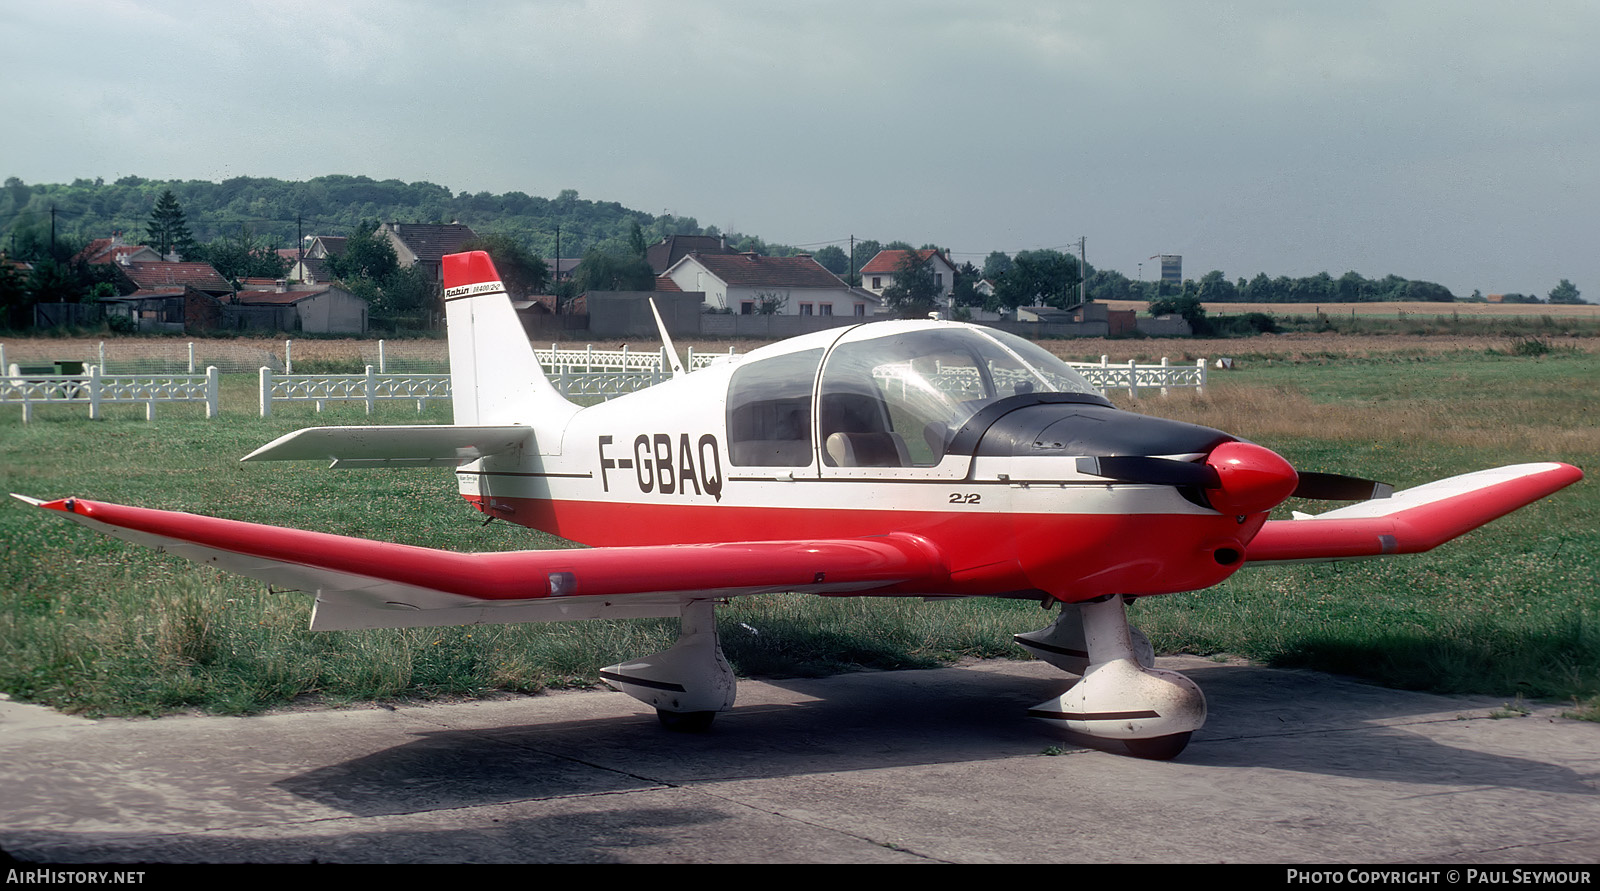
(878, 721)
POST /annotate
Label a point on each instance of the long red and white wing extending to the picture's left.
(369, 585)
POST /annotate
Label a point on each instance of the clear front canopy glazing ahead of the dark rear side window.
(898, 401)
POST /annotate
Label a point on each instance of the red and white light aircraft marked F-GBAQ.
(892, 460)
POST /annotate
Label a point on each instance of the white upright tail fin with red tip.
(494, 374)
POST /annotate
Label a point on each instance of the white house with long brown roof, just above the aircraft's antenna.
(750, 284)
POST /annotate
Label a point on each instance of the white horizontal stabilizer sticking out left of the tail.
(426, 445)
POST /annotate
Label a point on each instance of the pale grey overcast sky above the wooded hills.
(1447, 142)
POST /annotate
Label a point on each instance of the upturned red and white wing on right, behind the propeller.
(1412, 521)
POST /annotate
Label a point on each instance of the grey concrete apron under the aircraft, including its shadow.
(881, 767)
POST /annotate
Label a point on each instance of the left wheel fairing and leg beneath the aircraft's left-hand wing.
(687, 684)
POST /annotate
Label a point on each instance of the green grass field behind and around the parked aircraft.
(97, 626)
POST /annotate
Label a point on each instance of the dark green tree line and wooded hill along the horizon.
(239, 225)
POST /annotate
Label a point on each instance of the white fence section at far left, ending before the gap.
(94, 391)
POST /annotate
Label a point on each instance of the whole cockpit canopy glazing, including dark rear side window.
(887, 396)
